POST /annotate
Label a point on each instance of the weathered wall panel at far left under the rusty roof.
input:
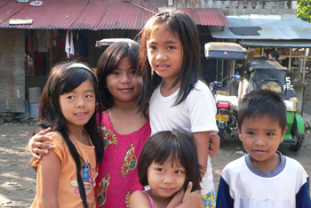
(12, 72)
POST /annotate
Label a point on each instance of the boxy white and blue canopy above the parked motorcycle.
(224, 50)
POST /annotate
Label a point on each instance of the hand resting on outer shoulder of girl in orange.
(36, 145)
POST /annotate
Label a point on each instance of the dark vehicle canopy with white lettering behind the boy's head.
(269, 74)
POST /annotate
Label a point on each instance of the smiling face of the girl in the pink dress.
(123, 83)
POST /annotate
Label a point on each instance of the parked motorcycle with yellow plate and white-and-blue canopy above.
(226, 102)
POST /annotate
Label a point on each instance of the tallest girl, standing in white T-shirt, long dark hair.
(176, 97)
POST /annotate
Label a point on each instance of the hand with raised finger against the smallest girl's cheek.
(192, 199)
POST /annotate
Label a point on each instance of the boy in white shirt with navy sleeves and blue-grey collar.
(263, 178)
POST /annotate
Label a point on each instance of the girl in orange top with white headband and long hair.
(66, 176)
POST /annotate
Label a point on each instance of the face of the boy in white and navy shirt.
(261, 137)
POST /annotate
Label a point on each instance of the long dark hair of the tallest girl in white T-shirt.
(183, 27)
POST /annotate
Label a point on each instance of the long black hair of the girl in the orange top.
(60, 81)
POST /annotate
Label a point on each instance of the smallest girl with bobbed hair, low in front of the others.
(168, 162)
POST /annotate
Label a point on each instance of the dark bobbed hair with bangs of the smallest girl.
(176, 144)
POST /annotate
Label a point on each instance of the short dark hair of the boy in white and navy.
(259, 103)
